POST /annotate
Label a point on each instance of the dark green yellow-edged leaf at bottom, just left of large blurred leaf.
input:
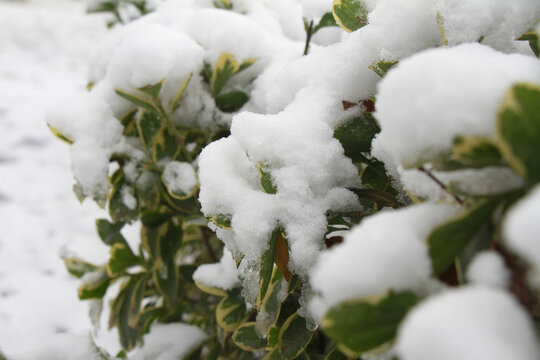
(294, 337)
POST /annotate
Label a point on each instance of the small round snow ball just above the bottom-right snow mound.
(488, 268)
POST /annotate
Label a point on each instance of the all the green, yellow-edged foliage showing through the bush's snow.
(155, 277)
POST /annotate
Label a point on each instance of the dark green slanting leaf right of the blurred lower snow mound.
(448, 239)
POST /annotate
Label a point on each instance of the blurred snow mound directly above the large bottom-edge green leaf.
(389, 246)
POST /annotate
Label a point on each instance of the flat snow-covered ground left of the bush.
(43, 49)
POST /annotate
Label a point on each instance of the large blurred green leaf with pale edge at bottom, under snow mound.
(359, 326)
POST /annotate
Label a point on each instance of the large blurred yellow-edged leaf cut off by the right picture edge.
(518, 130)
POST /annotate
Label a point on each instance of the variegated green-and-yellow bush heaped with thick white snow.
(348, 161)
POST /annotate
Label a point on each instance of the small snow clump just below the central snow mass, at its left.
(223, 275)
